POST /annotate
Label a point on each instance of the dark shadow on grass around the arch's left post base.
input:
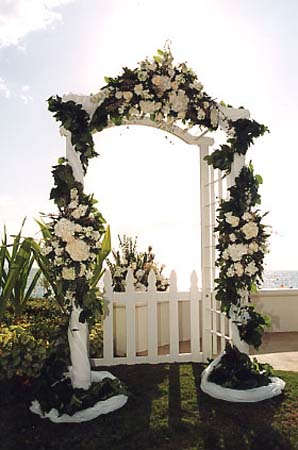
(22, 430)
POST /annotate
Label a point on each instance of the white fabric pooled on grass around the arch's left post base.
(102, 407)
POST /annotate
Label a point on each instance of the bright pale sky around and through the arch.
(244, 53)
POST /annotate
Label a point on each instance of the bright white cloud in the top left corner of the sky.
(20, 17)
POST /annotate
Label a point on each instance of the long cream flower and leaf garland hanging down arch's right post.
(242, 245)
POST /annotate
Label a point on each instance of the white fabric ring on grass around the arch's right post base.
(239, 396)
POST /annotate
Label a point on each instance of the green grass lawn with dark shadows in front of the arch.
(166, 410)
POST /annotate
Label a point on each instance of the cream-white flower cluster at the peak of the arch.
(161, 90)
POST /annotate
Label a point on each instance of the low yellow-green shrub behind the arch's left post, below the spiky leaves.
(27, 343)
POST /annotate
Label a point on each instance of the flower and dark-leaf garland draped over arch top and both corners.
(163, 92)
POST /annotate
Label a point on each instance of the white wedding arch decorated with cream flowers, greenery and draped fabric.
(171, 98)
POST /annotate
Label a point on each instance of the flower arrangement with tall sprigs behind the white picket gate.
(141, 263)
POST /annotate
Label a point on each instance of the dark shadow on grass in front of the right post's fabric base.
(234, 426)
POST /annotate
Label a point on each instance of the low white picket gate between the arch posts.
(182, 318)
